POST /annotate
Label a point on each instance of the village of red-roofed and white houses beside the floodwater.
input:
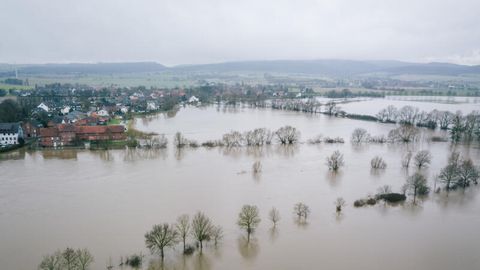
(67, 117)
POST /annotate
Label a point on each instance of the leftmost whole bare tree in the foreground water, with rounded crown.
(160, 237)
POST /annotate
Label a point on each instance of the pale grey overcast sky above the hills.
(204, 31)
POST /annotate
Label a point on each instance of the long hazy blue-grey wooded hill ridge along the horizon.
(311, 67)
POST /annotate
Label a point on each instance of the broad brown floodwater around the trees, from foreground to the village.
(107, 200)
